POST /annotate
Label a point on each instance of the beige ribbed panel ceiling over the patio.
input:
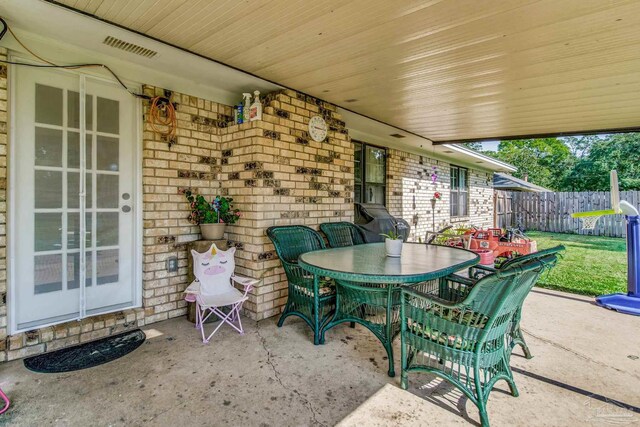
(443, 69)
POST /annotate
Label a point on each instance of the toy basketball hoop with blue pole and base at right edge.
(628, 303)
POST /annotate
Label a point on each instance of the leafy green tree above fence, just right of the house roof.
(543, 161)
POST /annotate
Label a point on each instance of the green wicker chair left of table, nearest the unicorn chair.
(312, 300)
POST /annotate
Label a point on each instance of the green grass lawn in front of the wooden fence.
(591, 265)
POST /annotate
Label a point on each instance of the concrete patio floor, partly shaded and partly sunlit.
(585, 370)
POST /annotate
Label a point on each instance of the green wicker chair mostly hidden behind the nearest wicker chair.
(476, 272)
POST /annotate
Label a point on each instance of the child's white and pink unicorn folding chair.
(213, 288)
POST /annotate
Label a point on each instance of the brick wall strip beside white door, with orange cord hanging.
(193, 162)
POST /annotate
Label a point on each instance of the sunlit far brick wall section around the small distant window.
(410, 189)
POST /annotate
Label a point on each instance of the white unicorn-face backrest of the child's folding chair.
(214, 269)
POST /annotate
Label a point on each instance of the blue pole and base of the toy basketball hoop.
(629, 303)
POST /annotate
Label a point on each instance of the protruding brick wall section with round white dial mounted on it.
(277, 175)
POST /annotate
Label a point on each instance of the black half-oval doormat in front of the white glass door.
(86, 355)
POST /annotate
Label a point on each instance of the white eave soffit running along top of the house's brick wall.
(70, 37)
